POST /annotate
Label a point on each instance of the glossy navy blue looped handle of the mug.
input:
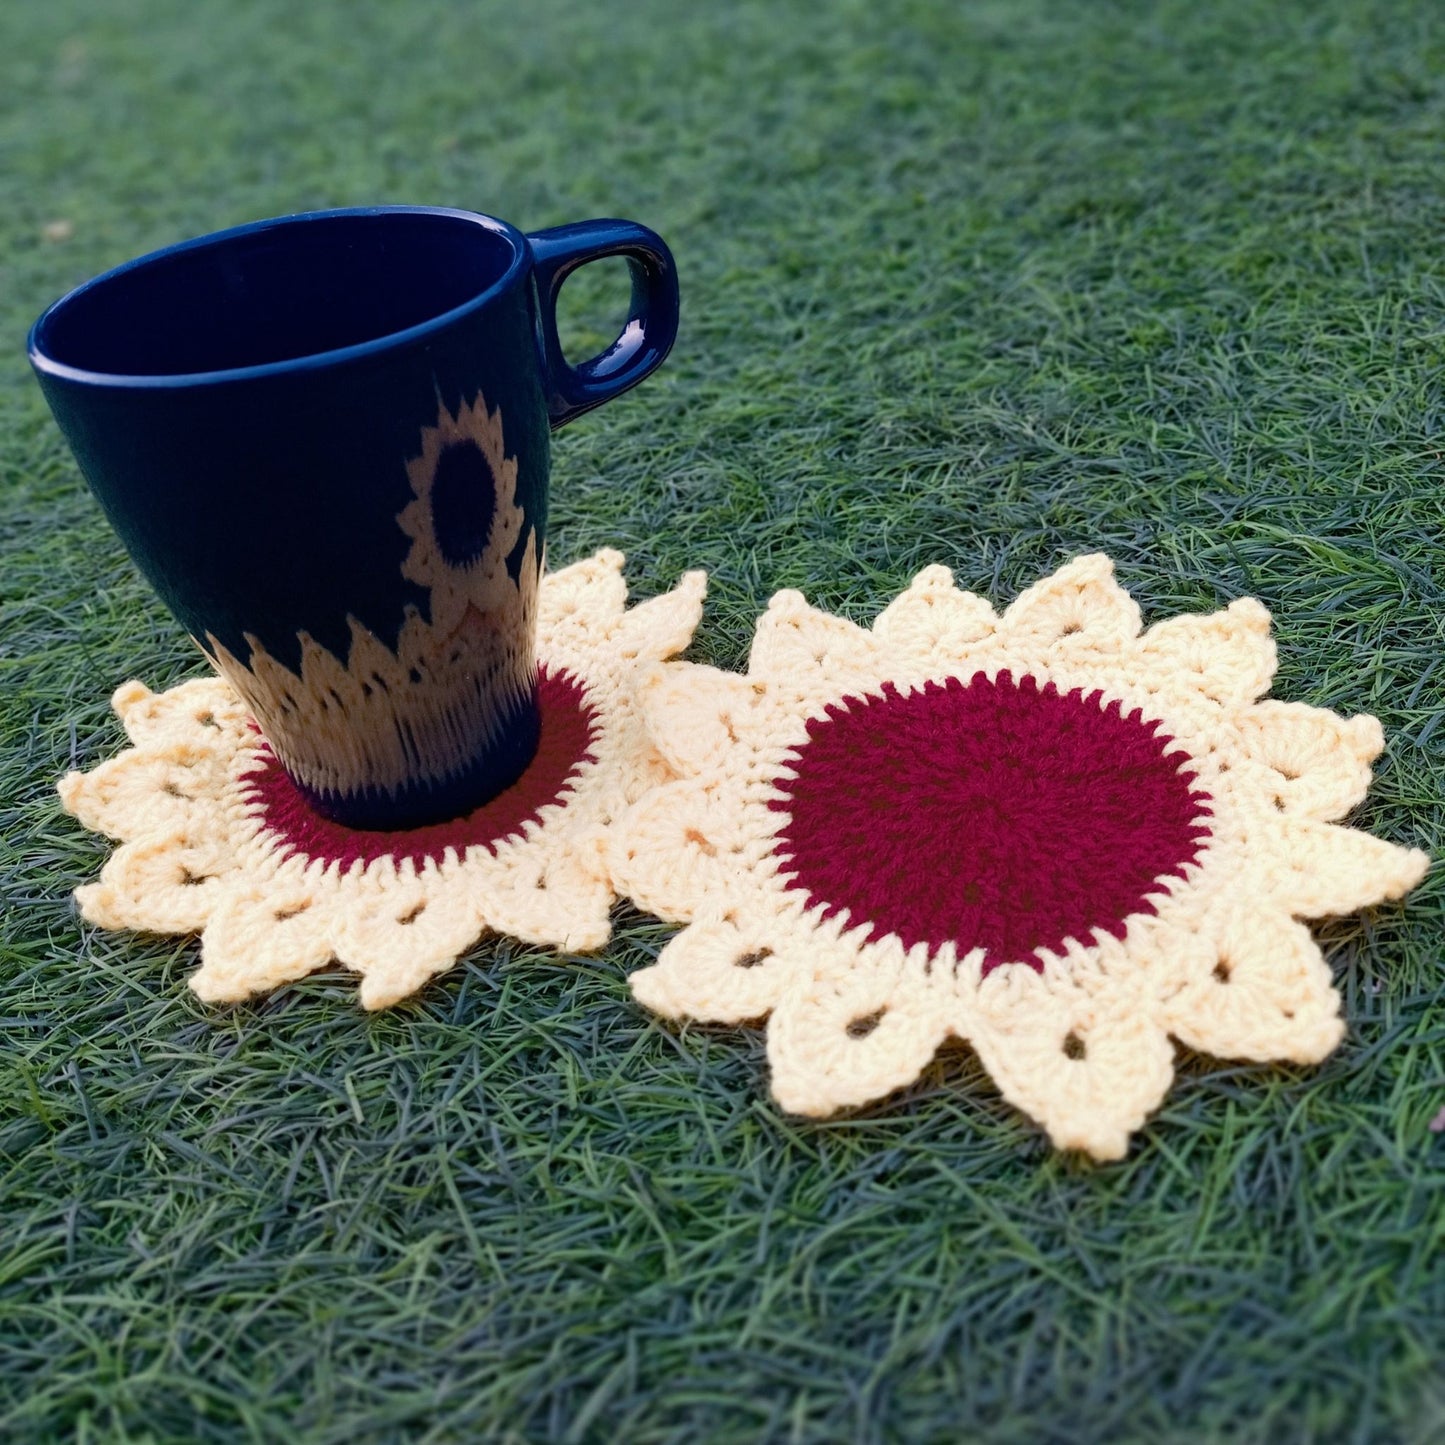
(651, 329)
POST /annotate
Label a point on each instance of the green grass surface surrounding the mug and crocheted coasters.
(991, 285)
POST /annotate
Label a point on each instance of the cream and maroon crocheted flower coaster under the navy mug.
(219, 840)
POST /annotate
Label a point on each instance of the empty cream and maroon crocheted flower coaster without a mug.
(1045, 832)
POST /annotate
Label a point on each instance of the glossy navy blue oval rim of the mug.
(378, 346)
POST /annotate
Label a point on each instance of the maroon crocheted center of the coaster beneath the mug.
(564, 746)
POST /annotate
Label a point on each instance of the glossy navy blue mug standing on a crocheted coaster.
(326, 443)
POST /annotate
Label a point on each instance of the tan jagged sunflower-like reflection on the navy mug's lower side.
(385, 719)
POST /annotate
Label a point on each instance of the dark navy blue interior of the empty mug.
(277, 291)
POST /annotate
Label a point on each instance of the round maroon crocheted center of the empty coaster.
(996, 816)
